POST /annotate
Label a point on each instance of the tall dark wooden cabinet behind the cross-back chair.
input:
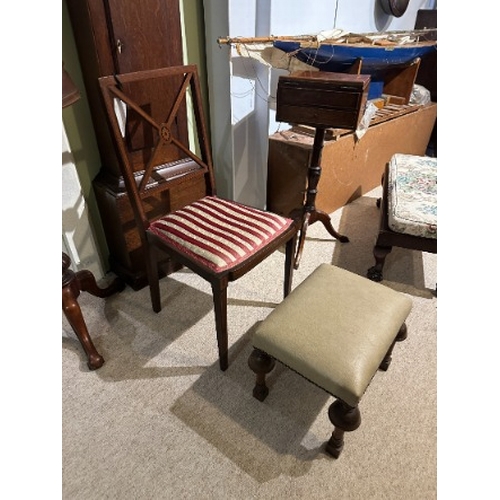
(120, 36)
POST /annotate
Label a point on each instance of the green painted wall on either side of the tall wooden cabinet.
(77, 119)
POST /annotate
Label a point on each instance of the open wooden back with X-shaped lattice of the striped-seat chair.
(148, 116)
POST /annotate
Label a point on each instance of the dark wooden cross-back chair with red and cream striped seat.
(218, 239)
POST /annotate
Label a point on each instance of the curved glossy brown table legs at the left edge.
(72, 284)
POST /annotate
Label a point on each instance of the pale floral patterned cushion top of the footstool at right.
(412, 195)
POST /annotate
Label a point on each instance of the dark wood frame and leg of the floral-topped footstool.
(387, 238)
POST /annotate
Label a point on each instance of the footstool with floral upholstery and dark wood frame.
(408, 217)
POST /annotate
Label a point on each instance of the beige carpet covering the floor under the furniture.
(160, 421)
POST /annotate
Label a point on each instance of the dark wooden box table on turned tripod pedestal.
(321, 100)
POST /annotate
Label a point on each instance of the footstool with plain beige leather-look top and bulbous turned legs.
(335, 329)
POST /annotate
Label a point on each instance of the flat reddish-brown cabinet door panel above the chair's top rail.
(146, 34)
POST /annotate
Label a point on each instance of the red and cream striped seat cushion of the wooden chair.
(219, 233)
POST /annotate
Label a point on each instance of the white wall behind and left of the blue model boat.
(241, 90)
